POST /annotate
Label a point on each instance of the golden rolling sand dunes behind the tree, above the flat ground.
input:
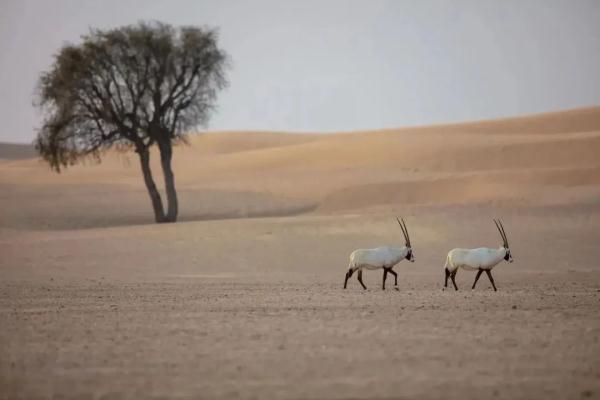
(521, 161)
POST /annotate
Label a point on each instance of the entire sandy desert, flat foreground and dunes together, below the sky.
(243, 298)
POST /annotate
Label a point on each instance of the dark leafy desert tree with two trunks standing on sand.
(130, 88)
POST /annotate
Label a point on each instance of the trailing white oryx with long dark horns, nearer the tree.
(381, 257)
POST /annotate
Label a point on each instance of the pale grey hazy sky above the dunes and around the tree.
(339, 65)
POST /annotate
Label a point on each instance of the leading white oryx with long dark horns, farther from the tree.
(482, 259)
